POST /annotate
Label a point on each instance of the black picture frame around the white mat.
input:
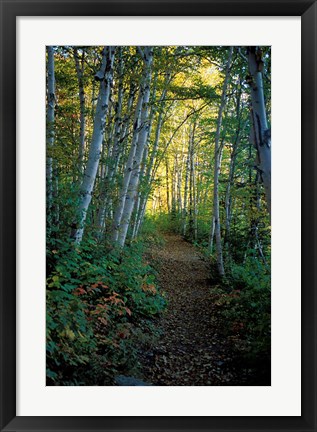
(9, 11)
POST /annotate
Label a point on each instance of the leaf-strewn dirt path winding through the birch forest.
(189, 350)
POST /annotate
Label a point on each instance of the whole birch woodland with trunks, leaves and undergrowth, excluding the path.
(143, 141)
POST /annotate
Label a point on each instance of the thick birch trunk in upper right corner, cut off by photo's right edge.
(259, 119)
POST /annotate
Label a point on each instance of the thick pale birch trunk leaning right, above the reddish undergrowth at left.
(104, 75)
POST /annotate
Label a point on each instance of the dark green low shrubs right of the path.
(245, 304)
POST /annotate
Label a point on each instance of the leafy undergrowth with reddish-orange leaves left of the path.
(96, 299)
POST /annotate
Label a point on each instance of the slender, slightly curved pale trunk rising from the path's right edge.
(216, 212)
